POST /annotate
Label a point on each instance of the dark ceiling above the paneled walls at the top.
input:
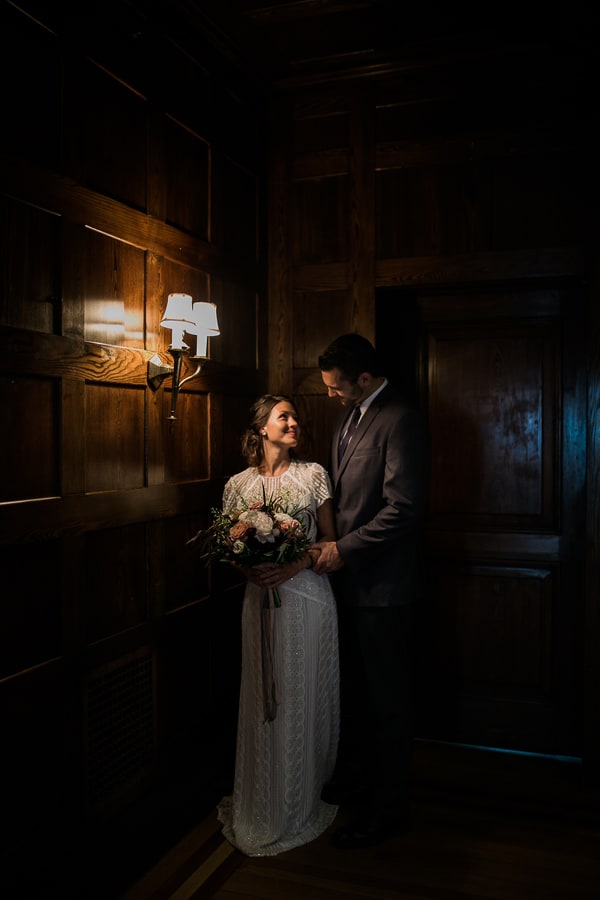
(304, 41)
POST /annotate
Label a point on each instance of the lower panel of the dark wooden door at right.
(494, 644)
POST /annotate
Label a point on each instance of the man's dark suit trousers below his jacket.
(377, 731)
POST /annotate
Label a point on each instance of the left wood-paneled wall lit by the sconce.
(127, 172)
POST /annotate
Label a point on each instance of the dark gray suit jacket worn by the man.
(380, 501)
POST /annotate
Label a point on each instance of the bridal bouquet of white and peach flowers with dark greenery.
(263, 531)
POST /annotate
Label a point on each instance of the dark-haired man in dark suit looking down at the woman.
(380, 460)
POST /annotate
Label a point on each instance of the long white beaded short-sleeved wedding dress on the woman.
(282, 765)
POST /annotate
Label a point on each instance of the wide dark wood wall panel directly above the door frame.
(469, 206)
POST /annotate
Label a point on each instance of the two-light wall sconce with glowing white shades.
(183, 315)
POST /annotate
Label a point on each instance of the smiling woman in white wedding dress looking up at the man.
(288, 718)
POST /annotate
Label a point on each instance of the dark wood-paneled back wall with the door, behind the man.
(455, 203)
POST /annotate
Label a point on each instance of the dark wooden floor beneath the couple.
(484, 828)
